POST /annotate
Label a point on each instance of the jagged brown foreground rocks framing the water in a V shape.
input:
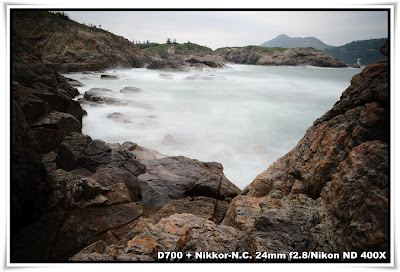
(74, 198)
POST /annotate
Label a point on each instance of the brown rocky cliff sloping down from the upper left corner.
(70, 46)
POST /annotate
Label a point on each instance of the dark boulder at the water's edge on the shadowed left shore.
(50, 130)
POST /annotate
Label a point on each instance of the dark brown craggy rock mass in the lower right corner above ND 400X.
(358, 197)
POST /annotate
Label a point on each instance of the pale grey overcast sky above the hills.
(239, 28)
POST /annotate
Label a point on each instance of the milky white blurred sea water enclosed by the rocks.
(245, 117)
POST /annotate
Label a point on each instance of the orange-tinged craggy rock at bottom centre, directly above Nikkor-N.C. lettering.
(186, 233)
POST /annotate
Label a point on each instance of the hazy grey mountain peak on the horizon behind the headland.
(288, 42)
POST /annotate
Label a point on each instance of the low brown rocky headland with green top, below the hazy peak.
(278, 56)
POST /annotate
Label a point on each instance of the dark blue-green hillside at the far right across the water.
(366, 50)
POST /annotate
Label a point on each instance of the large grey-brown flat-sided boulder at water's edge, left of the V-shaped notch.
(175, 177)
